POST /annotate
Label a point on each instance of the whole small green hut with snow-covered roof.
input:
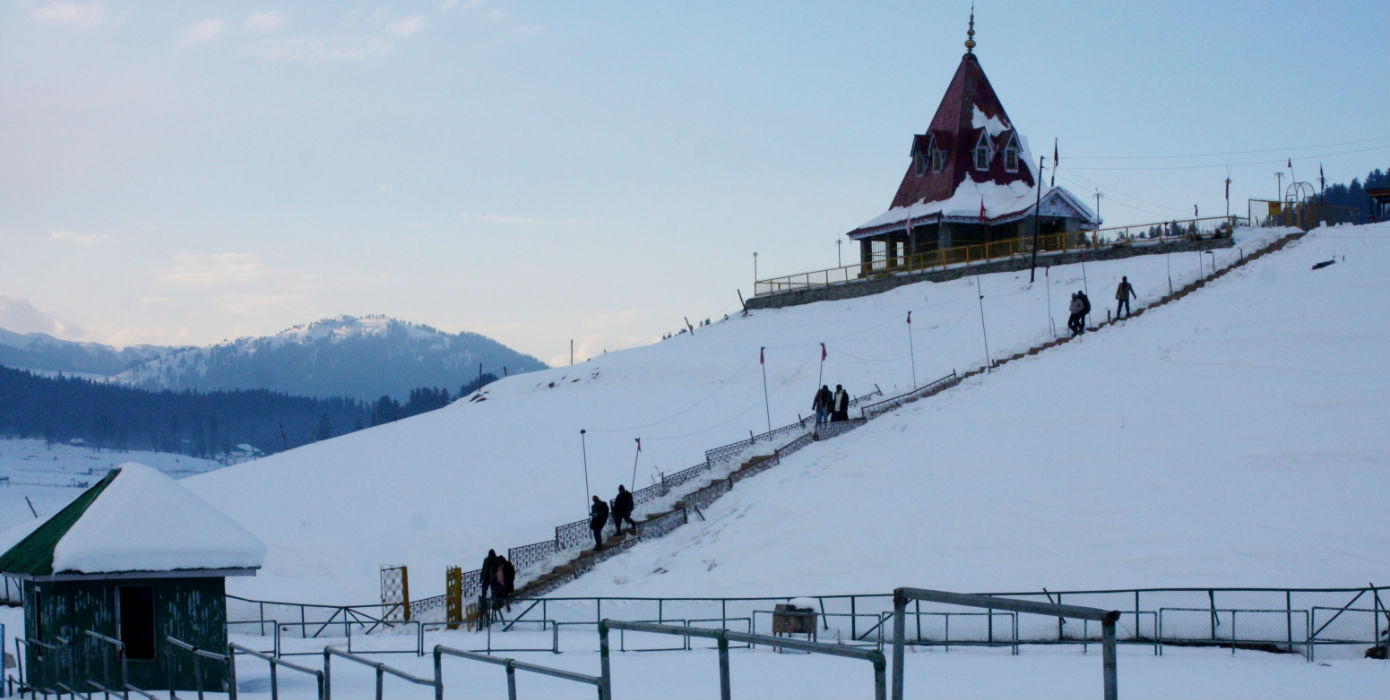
(136, 559)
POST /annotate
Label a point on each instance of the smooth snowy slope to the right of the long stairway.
(1234, 440)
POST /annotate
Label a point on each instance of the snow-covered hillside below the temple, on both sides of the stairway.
(1197, 447)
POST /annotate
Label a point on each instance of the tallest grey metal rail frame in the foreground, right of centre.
(900, 603)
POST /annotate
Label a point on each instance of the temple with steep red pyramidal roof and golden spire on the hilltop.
(972, 180)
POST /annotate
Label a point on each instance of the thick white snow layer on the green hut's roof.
(147, 522)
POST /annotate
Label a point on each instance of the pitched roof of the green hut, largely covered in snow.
(136, 520)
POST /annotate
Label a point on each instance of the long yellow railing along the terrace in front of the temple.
(883, 266)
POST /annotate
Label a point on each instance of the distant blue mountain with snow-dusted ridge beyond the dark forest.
(363, 359)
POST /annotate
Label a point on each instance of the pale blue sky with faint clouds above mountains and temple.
(186, 173)
